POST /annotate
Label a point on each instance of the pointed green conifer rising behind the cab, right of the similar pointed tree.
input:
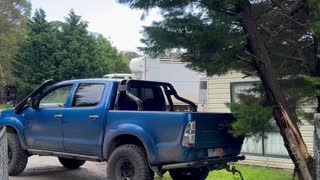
(77, 51)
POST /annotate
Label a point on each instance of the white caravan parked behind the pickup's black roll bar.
(186, 81)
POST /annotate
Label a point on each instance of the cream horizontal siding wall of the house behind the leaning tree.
(219, 93)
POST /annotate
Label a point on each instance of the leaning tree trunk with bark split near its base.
(291, 135)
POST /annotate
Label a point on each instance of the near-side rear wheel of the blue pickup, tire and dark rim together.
(128, 162)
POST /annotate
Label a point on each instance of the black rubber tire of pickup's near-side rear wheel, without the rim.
(136, 155)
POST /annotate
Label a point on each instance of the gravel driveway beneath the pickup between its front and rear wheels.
(49, 168)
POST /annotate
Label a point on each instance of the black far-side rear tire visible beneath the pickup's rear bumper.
(189, 174)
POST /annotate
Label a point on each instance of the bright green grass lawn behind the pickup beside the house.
(248, 173)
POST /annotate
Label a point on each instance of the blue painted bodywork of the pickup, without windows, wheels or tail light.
(160, 132)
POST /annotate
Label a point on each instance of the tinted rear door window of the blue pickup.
(88, 95)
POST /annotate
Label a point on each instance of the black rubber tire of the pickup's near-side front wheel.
(20, 157)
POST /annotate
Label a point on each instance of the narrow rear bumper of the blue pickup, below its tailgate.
(202, 163)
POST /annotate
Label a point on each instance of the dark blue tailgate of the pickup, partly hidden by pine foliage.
(212, 131)
